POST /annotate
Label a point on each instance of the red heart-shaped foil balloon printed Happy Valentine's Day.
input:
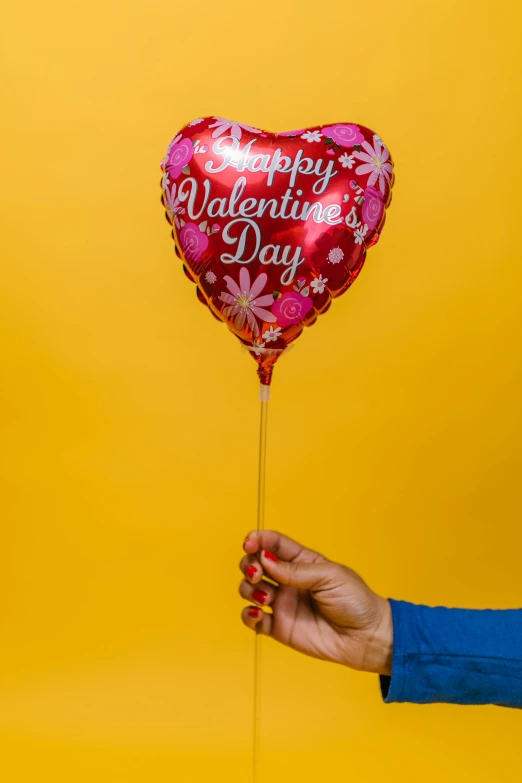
(273, 226)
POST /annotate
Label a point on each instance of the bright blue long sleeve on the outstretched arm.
(461, 656)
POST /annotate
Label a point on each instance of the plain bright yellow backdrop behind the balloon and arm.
(129, 416)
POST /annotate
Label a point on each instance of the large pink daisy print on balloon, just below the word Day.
(245, 303)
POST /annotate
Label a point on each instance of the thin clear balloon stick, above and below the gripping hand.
(258, 637)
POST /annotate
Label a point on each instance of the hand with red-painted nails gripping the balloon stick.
(320, 608)
